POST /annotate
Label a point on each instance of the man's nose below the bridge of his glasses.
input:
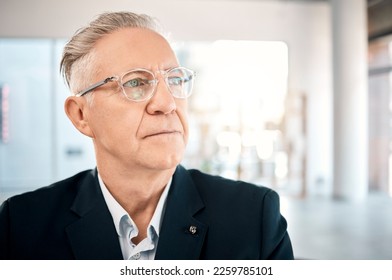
(162, 102)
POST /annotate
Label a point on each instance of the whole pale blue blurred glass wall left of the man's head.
(42, 145)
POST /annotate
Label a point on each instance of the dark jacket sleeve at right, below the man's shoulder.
(276, 242)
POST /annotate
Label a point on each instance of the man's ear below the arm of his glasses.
(76, 109)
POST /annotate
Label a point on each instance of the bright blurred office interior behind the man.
(292, 94)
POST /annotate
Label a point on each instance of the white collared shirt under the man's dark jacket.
(127, 229)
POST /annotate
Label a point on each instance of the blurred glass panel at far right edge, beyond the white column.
(380, 114)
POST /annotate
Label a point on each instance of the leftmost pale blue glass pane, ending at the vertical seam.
(25, 159)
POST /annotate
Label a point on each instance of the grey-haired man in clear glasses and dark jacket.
(130, 97)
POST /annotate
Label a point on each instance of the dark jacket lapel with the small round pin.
(181, 235)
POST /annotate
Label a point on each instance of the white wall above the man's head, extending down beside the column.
(304, 26)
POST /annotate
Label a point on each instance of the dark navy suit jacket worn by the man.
(206, 217)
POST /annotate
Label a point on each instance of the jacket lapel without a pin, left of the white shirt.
(93, 235)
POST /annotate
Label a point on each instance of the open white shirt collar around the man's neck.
(117, 211)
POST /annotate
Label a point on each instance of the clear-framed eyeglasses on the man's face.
(140, 84)
